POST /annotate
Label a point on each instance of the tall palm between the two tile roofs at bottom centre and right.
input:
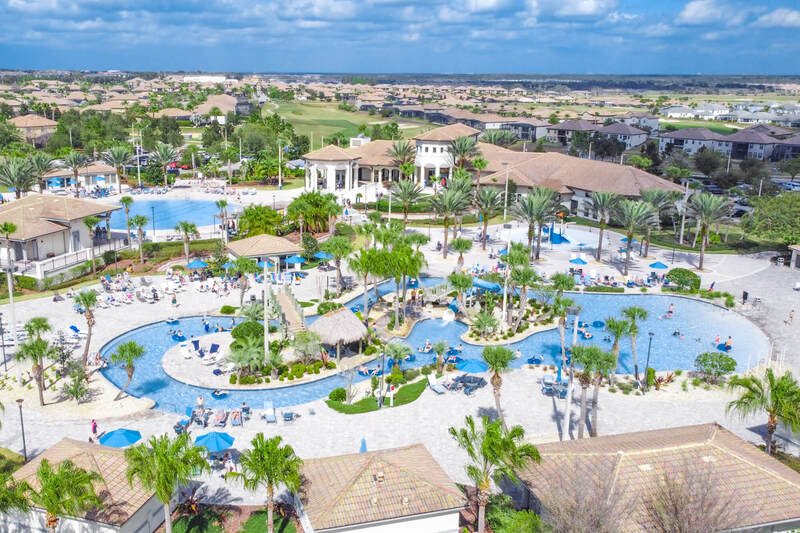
(494, 454)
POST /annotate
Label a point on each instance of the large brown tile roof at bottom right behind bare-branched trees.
(765, 490)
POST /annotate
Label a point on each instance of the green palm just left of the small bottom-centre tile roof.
(268, 464)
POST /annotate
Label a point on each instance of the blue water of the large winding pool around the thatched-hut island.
(698, 322)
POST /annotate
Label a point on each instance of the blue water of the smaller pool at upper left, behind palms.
(169, 212)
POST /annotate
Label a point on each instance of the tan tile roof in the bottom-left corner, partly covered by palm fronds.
(120, 499)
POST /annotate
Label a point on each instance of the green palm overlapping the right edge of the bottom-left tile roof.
(162, 465)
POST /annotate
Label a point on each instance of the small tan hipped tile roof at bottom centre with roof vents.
(369, 487)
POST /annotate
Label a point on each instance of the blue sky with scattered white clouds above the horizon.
(439, 36)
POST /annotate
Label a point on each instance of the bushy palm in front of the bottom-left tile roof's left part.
(64, 491)
